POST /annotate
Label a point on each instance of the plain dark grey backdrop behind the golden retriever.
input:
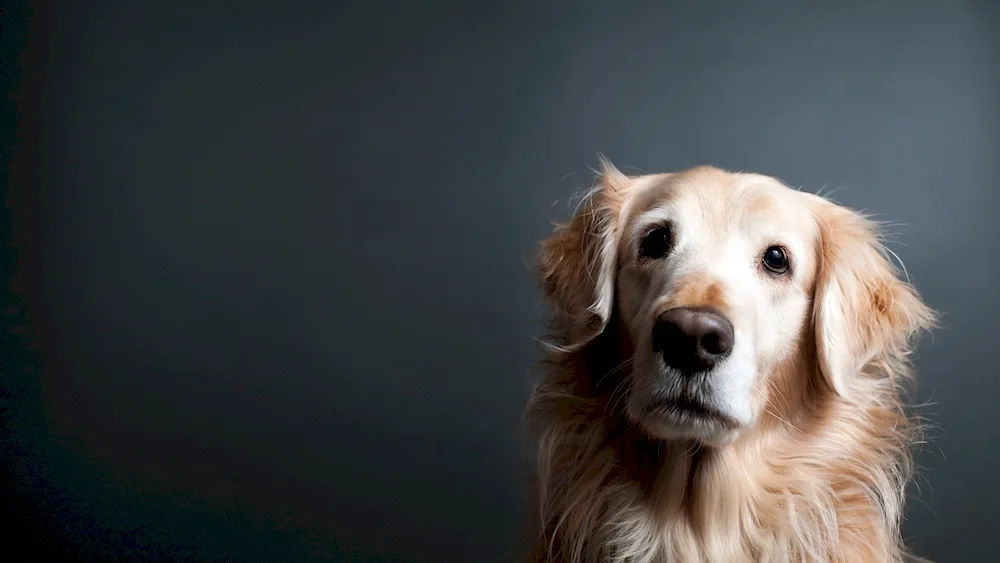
(280, 250)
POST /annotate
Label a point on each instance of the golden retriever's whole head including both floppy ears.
(729, 292)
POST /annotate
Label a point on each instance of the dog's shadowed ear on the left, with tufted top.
(578, 262)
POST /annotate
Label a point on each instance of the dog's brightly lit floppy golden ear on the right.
(864, 315)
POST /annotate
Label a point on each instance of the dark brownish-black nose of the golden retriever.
(693, 339)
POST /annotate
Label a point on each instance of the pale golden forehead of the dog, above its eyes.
(725, 199)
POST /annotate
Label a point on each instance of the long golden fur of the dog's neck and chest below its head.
(821, 487)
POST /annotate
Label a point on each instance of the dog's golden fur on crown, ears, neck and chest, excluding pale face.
(820, 475)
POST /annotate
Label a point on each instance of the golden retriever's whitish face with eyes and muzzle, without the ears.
(714, 286)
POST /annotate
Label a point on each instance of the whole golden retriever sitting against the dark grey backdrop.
(725, 377)
